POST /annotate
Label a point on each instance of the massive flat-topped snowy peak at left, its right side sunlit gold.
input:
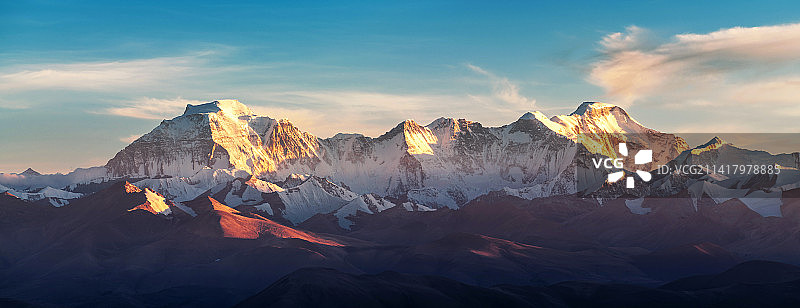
(218, 135)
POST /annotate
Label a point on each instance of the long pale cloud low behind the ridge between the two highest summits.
(325, 113)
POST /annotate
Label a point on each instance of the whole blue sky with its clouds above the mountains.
(79, 80)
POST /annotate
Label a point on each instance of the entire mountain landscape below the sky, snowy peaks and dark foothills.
(219, 207)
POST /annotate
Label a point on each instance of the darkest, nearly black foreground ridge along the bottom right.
(333, 288)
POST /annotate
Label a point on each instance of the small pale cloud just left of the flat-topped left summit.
(151, 108)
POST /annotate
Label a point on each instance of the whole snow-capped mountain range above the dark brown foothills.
(223, 149)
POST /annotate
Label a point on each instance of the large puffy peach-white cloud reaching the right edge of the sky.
(709, 66)
